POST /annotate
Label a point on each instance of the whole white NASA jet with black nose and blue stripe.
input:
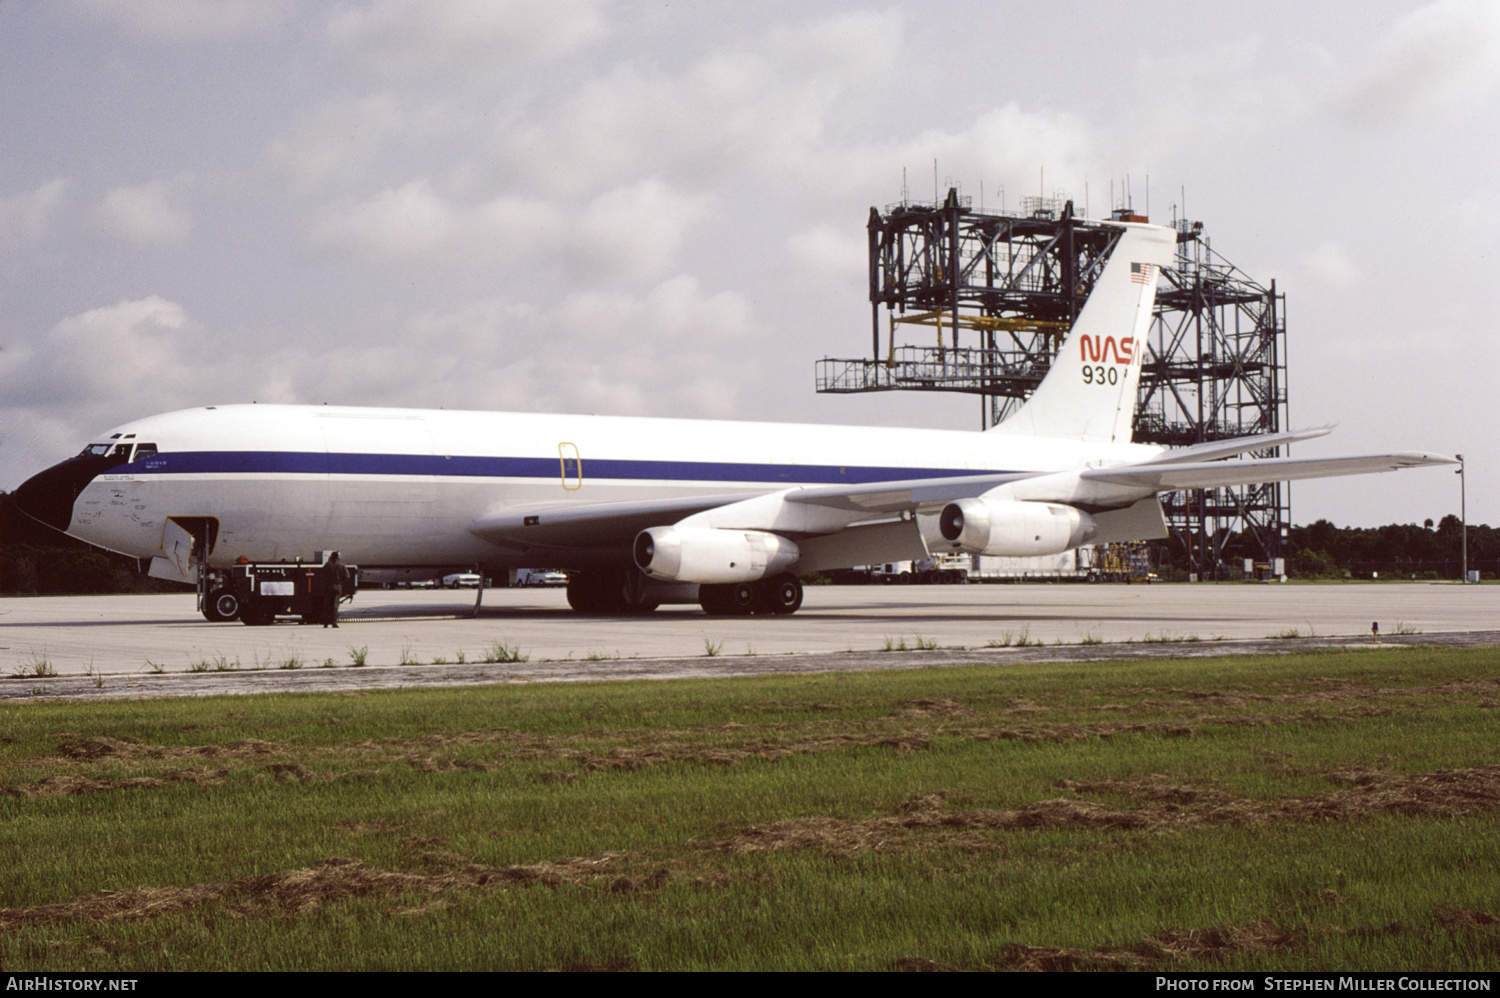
(650, 511)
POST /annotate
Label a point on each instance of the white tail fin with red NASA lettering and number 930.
(1090, 392)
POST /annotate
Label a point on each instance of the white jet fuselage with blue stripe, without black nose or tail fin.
(403, 487)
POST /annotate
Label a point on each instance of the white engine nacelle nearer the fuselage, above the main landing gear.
(713, 556)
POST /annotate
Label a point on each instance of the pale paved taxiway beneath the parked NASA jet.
(131, 643)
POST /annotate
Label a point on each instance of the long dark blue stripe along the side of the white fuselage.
(458, 466)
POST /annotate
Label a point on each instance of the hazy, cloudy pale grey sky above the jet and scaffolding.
(659, 208)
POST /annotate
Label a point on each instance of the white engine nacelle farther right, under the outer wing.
(1015, 529)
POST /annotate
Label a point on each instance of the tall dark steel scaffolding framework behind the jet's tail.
(1001, 290)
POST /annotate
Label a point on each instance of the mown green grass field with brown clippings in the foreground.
(1336, 811)
